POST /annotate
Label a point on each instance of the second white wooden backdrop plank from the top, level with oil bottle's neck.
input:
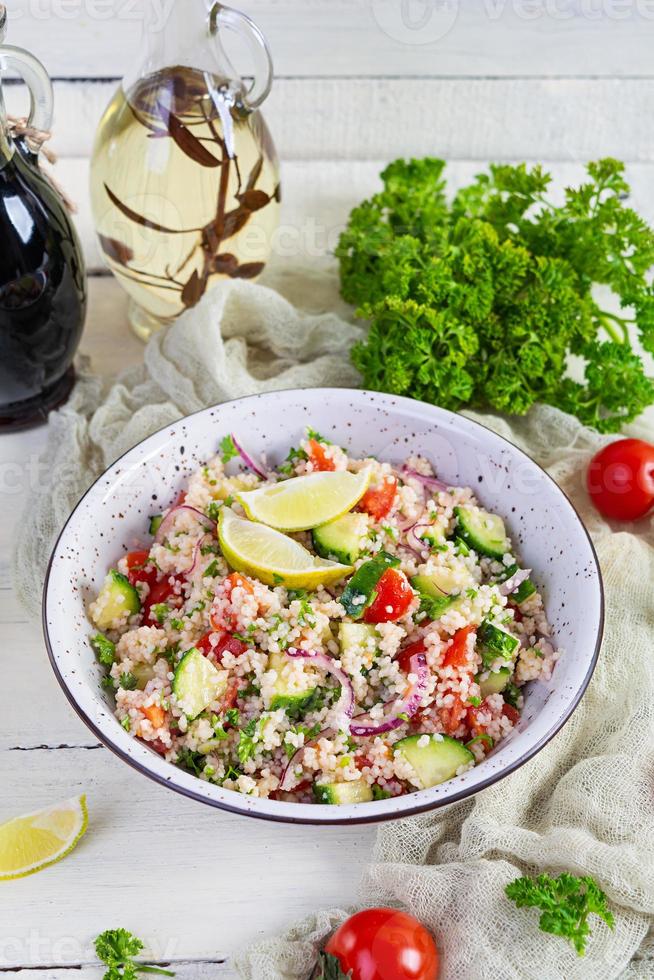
(473, 119)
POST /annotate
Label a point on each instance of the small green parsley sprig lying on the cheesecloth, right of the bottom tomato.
(565, 903)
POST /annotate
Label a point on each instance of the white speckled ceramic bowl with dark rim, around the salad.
(112, 516)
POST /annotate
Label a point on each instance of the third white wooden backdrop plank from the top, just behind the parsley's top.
(319, 195)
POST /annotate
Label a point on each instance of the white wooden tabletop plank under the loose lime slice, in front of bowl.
(192, 882)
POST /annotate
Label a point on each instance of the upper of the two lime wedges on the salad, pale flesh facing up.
(305, 501)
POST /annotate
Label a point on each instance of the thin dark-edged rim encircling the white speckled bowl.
(356, 818)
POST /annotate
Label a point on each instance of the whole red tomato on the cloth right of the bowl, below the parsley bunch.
(620, 479)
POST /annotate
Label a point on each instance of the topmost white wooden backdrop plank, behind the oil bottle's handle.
(90, 38)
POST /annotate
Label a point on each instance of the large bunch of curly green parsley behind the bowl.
(482, 301)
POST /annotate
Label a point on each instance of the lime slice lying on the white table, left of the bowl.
(31, 843)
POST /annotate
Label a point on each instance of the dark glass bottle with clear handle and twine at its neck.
(42, 275)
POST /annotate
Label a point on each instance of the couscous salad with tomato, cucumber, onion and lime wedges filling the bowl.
(336, 630)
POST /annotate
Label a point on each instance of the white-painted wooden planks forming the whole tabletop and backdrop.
(357, 85)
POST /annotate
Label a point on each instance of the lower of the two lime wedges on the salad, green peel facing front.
(273, 557)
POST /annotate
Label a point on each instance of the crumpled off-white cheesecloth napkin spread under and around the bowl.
(584, 804)
